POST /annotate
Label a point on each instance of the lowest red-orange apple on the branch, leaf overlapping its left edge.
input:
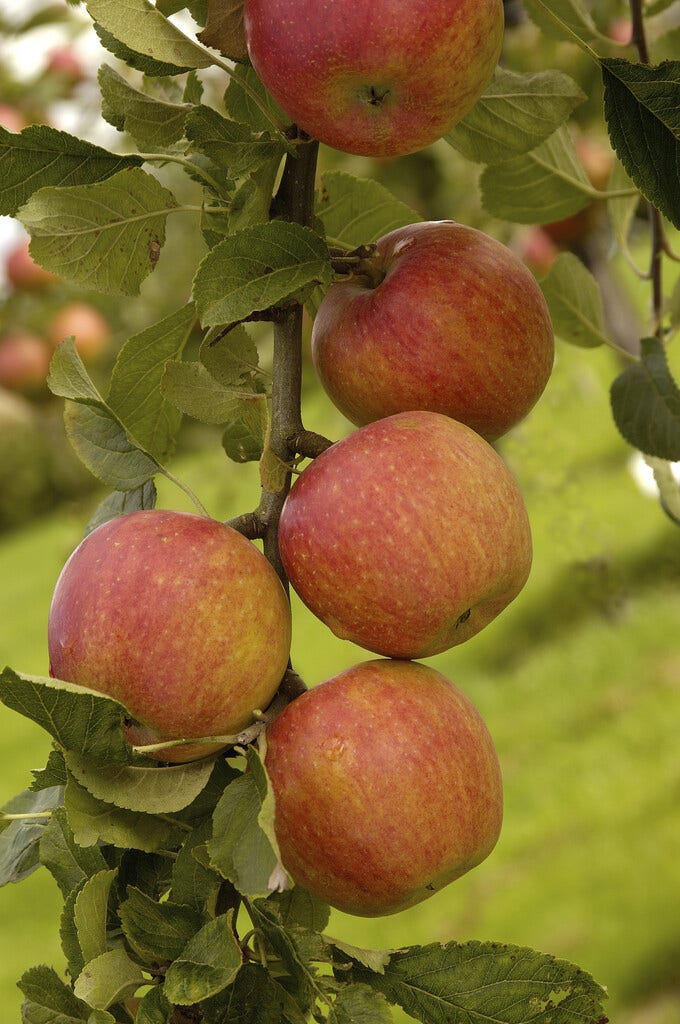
(387, 785)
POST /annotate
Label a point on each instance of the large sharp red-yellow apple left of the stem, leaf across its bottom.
(179, 618)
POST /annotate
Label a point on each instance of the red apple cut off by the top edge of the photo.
(379, 78)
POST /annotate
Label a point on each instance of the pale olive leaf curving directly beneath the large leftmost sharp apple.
(154, 791)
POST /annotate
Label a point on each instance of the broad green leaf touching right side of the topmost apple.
(516, 113)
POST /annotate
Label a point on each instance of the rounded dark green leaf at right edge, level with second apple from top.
(646, 402)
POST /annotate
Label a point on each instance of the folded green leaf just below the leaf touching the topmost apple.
(543, 186)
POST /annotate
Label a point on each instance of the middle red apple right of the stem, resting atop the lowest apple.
(408, 537)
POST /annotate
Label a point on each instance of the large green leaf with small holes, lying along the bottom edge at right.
(483, 982)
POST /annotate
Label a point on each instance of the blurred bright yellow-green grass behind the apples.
(579, 682)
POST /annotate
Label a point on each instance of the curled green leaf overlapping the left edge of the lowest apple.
(239, 848)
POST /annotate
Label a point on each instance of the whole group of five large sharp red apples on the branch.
(407, 538)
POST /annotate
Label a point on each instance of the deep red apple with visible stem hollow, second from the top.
(457, 326)
